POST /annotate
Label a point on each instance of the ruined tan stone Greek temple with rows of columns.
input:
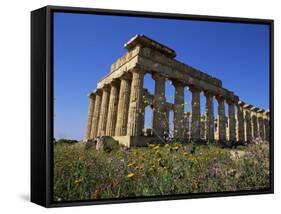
(116, 107)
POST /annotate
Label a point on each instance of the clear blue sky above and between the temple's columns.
(85, 46)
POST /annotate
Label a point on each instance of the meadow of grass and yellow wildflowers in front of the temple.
(81, 174)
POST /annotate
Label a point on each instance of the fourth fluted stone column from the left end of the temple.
(112, 108)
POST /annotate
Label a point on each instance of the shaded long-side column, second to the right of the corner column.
(178, 109)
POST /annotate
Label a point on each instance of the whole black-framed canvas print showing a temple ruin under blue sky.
(131, 106)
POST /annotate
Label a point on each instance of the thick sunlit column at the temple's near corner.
(136, 111)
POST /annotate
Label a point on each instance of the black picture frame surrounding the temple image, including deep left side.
(42, 103)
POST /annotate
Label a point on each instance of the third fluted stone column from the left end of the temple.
(104, 110)
